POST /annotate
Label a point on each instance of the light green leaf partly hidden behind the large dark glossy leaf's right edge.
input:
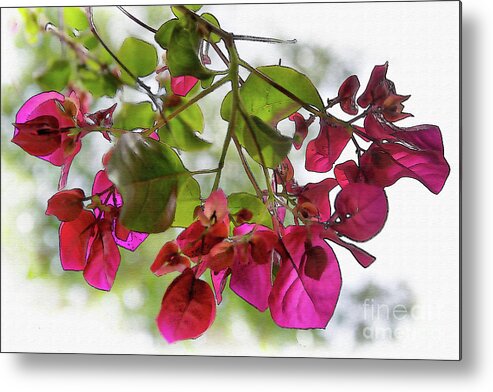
(188, 199)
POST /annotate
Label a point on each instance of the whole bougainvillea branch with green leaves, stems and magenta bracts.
(144, 187)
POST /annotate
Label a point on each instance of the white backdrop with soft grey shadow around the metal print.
(128, 373)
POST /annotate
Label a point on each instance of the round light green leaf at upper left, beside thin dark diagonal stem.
(139, 56)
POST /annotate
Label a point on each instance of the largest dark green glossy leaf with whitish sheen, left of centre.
(148, 174)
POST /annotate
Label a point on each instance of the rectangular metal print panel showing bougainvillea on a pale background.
(244, 180)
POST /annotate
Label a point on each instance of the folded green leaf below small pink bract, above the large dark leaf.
(180, 131)
